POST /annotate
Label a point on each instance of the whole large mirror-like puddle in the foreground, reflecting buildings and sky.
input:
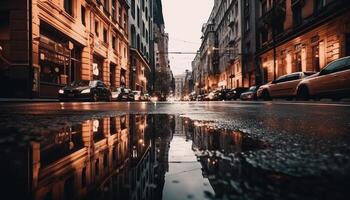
(140, 157)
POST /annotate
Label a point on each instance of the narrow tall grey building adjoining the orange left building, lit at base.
(140, 27)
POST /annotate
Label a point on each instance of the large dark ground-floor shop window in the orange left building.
(59, 61)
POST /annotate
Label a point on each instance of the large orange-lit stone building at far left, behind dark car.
(49, 44)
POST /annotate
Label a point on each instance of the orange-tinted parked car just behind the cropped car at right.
(283, 87)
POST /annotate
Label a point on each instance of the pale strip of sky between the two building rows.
(183, 22)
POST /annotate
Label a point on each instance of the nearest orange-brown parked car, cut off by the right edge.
(332, 82)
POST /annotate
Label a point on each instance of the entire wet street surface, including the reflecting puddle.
(215, 150)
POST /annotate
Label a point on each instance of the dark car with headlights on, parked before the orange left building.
(85, 90)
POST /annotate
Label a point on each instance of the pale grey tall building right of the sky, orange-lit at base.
(229, 32)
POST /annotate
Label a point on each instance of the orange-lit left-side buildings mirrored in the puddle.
(123, 157)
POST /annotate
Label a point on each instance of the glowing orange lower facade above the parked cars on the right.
(311, 51)
